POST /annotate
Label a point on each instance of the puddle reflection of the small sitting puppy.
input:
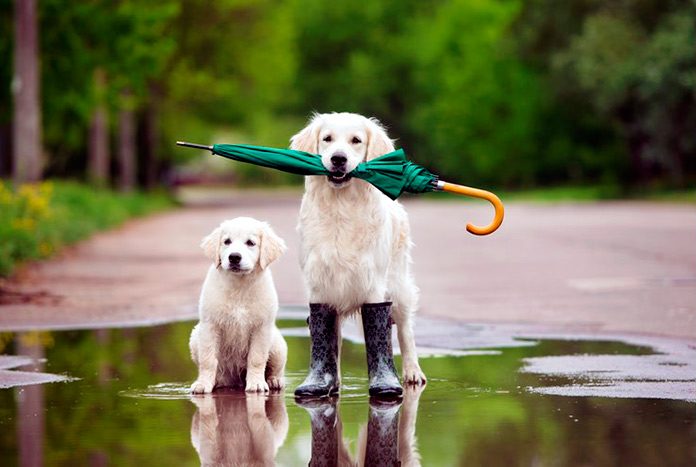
(238, 429)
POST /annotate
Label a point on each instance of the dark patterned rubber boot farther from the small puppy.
(384, 382)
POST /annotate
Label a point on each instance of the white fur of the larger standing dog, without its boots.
(355, 241)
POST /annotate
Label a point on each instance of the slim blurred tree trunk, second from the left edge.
(98, 157)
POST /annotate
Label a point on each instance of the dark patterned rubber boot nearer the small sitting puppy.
(322, 379)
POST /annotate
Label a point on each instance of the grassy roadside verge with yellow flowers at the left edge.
(37, 220)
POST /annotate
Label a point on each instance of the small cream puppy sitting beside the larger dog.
(236, 338)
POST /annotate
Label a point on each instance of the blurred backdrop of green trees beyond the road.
(496, 93)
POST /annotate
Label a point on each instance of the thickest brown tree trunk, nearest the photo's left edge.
(25, 88)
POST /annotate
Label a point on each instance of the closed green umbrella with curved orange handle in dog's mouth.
(391, 173)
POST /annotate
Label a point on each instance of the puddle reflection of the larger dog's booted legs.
(389, 439)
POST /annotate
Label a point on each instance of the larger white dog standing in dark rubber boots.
(355, 256)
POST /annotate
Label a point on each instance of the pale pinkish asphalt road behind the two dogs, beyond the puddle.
(618, 267)
